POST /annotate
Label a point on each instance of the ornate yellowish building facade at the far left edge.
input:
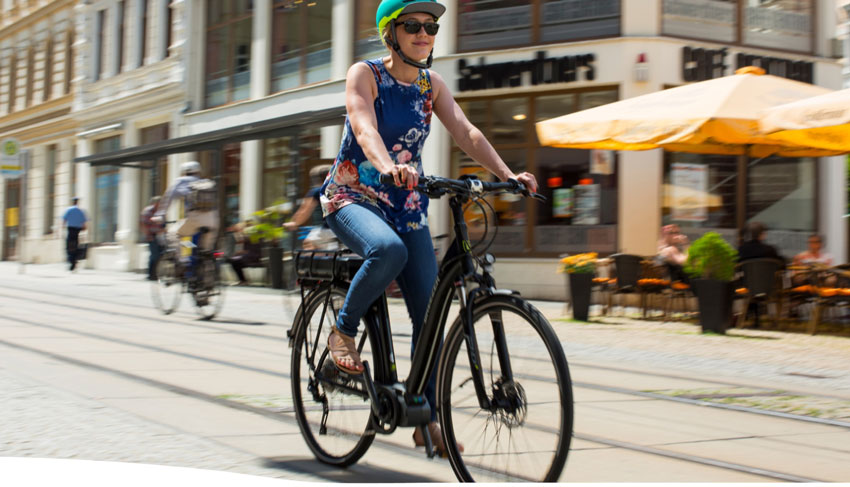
(36, 78)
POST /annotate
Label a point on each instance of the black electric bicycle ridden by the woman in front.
(503, 384)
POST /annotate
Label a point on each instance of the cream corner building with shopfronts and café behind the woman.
(262, 86)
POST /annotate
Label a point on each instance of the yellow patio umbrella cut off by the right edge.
(821, 121)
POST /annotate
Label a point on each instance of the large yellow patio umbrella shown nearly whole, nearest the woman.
(718, 116)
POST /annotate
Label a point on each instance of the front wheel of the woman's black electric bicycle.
(525, 433)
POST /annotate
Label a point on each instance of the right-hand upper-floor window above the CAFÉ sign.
(778, 24)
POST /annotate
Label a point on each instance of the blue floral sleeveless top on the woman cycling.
(404, 122)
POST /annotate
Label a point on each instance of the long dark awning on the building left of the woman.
(143, 156)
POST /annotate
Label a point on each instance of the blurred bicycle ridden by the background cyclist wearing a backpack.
(173, 278)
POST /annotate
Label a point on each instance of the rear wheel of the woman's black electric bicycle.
(349, 433)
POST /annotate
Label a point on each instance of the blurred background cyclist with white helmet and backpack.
(200, 205)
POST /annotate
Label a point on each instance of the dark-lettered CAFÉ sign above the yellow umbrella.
(700, 64)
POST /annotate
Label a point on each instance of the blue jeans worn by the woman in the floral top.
(406, 257)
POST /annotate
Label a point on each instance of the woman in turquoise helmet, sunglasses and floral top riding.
(389, 102)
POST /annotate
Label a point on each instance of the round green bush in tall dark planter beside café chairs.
(711, 265)
